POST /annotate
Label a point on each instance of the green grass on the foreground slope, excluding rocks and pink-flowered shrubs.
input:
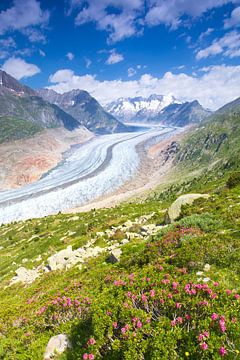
(217, 243)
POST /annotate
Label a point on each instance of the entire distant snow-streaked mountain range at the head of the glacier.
(163, 109)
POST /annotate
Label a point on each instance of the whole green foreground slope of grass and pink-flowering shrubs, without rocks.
(158, 302)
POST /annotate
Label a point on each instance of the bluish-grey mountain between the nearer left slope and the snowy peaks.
(85, 109)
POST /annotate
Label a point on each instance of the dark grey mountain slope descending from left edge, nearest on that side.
(21, 102)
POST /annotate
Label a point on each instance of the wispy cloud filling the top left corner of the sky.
(22, 14)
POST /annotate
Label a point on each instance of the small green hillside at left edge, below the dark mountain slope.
(15, 129)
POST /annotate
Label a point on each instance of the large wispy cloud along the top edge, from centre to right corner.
(125, 18)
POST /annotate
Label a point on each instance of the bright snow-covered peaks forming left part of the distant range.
(140, 108)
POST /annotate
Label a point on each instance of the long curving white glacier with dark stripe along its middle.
(96, 168)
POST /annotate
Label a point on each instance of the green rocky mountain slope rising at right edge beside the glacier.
(216, 139)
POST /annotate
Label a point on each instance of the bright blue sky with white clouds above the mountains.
(116, 48)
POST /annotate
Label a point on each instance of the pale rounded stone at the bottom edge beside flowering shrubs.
(56, 345)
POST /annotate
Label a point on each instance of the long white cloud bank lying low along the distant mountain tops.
(213, 88)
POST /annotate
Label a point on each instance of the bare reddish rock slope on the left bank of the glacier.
(25, 161)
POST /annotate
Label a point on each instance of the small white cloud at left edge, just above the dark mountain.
(19, 68)
